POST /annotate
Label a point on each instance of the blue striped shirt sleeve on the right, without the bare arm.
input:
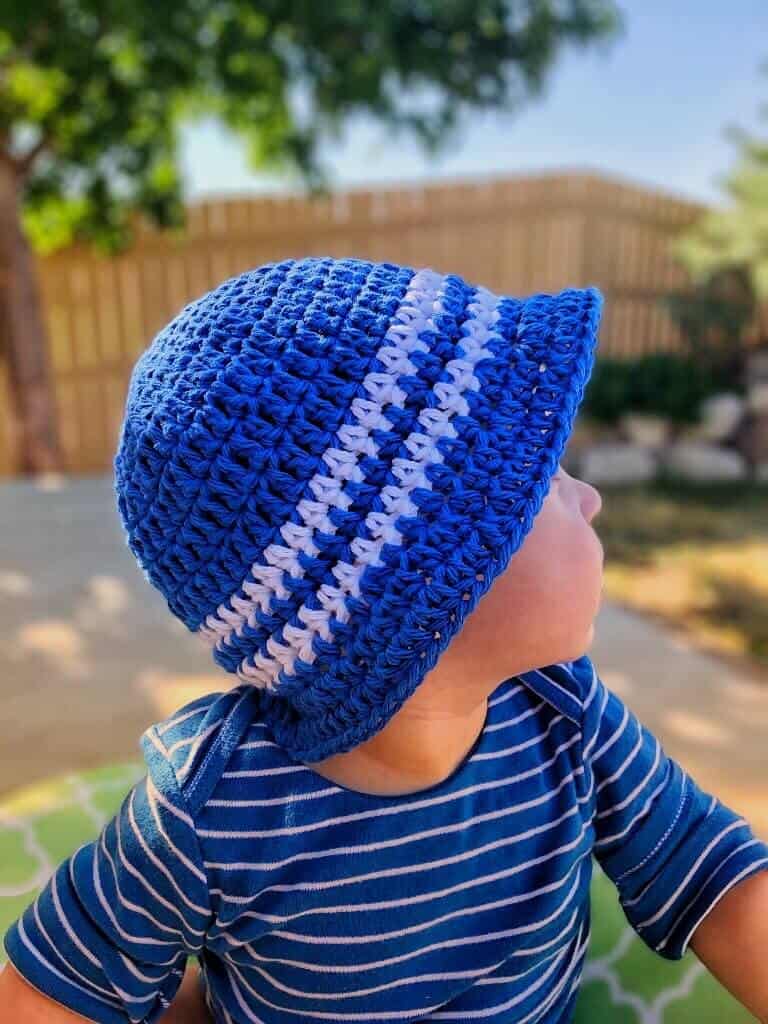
(672, 850)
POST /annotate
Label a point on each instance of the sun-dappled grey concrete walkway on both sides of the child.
(93, 657)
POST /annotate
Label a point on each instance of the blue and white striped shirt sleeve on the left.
(110, 934)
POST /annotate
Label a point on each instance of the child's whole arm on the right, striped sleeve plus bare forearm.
(682, 862)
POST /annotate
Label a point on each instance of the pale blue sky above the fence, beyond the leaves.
(651, 110)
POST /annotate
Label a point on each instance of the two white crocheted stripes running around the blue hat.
(422, 301)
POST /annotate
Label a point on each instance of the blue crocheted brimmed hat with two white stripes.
(325, 464)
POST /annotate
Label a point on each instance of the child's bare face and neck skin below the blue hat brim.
(539, 611)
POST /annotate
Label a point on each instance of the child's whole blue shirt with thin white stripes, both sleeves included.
(310, 903)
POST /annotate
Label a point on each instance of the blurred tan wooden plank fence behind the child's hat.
(514, 235)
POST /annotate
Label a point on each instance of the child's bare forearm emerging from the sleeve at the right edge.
(733, 942)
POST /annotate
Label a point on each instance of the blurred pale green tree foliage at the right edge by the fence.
(737, 237)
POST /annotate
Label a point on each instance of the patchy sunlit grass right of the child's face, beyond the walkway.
(697, 557)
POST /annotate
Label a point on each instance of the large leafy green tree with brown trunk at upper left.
(93, 94)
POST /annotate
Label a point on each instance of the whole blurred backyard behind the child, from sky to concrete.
(150, 151)
